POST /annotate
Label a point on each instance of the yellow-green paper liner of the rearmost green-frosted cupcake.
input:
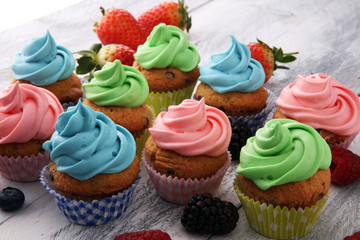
(160, 101)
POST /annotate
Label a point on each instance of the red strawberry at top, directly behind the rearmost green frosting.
(170, 13)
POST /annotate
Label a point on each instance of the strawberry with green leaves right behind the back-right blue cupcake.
(268, 57)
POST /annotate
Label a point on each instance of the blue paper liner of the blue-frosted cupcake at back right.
(257, 121)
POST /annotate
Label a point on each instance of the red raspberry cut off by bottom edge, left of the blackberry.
(144, 235)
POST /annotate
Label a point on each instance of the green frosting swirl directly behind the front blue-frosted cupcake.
(117, 85)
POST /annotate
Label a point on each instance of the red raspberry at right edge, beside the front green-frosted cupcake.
(345, 166)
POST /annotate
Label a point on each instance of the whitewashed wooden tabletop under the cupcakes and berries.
(325, 32)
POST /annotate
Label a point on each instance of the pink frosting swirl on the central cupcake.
(192, 128)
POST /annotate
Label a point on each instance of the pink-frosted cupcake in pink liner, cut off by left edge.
(27, 119)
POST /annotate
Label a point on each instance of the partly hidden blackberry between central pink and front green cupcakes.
(239, 136)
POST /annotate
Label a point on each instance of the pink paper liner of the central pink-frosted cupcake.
(179, 191)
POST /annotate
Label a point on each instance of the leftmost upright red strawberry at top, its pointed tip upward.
(120, 27)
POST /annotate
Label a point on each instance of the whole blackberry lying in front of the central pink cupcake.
(205, 214)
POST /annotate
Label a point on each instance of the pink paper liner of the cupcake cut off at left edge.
(23, 169)
